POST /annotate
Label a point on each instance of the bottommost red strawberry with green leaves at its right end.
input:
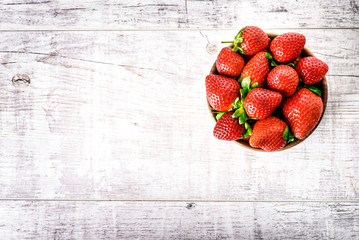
(268, 134)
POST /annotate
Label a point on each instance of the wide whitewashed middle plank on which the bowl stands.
(108, 117)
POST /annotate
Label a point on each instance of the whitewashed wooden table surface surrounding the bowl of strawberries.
(105, 131)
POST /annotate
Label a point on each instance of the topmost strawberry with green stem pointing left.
(250, 40)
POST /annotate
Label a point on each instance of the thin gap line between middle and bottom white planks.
(172, 200)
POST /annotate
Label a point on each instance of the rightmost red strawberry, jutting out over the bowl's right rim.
(311, 70)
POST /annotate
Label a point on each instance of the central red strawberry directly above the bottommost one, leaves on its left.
(260, 103)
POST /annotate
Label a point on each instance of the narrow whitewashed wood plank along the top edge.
(136, 14)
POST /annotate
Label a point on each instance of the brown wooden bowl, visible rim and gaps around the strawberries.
(322, 85)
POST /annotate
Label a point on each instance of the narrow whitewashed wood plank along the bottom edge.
(173, 220)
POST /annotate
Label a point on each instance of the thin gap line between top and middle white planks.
(157, 29)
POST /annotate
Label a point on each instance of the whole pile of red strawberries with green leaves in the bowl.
(264, 92)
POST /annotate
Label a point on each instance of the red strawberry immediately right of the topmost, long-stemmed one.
(287, 47)
